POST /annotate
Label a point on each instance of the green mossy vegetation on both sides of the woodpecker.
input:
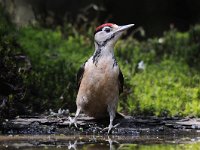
(168, 86)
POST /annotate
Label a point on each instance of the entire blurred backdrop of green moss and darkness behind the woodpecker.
(44, 42)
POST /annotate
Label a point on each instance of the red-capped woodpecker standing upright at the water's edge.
(99, 79)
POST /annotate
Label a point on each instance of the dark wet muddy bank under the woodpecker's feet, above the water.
(86, 126)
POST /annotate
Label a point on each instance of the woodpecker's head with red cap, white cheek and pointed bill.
(109, 33)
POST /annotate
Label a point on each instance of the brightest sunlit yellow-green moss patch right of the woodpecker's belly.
(169, 88)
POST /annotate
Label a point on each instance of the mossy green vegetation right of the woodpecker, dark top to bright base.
(170, 83)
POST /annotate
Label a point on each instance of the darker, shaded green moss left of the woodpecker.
(55, 60)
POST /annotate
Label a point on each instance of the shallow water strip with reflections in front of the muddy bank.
(94, 142)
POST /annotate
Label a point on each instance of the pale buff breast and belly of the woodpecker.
(99, 87)
